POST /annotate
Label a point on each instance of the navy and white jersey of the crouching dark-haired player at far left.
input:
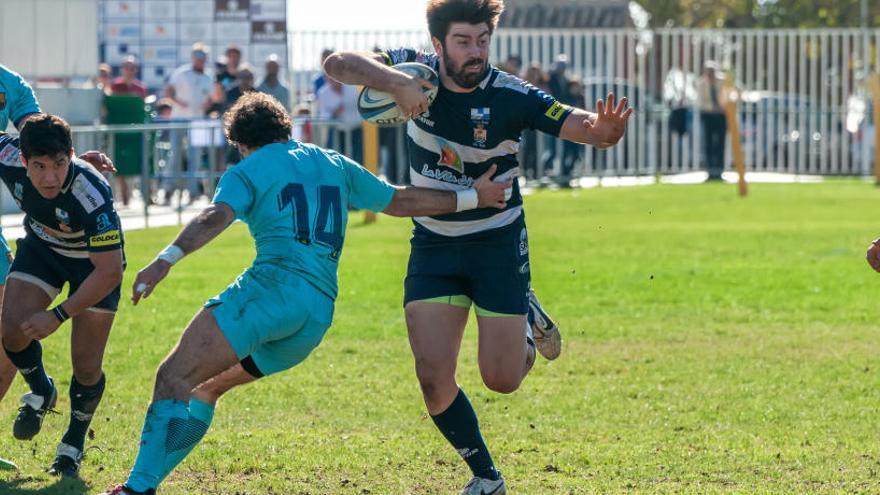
(81, 219)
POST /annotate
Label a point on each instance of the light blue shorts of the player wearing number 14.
(272, 315)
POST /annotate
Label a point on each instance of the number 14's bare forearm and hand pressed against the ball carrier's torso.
(418, 201)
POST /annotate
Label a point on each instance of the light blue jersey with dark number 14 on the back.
(295, 199)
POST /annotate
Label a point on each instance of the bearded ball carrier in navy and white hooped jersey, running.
(480, 256)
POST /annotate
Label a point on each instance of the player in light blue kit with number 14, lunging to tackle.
(294, 198)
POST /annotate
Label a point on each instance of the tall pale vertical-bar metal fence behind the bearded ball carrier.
(804, 107)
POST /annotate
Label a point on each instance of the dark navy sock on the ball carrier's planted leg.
(459, 425)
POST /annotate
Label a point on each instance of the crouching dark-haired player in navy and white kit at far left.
(73, 236)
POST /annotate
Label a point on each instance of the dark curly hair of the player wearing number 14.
(256, 120)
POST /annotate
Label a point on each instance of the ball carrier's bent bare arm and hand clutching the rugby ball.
(368, 69)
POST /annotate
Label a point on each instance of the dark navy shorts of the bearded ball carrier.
(490, 268)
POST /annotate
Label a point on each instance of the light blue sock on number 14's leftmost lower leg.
(148, 467)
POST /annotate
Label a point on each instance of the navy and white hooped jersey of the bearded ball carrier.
(463, 134)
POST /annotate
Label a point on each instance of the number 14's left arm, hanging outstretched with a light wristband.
(199, 231)
